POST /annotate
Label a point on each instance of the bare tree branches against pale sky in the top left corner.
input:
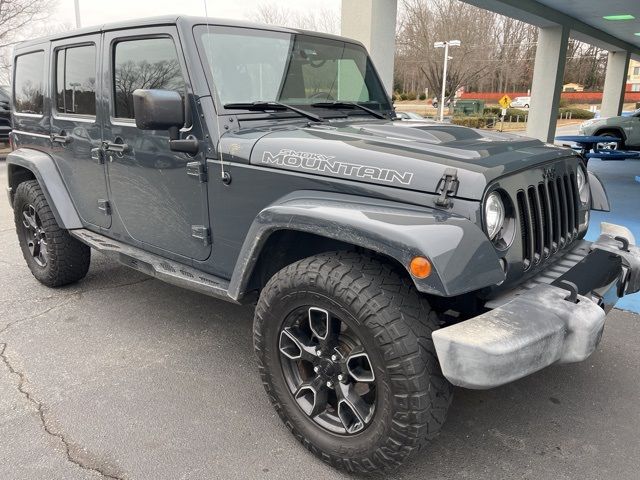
(19, 20)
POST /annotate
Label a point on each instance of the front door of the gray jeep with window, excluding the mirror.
(159, 203)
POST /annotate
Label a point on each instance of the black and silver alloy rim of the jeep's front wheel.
(327, 370)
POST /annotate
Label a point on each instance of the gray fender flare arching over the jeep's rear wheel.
(44, 169)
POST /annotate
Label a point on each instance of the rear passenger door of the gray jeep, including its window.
(76, 132)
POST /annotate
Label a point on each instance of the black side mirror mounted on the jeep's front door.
(163, 110)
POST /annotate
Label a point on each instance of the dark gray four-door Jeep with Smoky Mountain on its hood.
(389, 260)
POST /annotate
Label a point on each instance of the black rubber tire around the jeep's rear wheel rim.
(68, 259)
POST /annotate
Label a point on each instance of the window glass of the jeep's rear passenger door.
(76, 80)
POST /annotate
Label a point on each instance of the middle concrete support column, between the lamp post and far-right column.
(548, 73)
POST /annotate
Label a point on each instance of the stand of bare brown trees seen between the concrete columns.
(497, 53)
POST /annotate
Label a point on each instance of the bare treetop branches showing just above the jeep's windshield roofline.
(325, 21)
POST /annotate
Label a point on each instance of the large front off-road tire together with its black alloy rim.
(345, 354)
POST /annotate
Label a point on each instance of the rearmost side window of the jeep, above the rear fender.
(29, 83)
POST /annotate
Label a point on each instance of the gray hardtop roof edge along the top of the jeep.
(171, 20)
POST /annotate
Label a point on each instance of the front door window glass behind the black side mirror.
(150, 63)
